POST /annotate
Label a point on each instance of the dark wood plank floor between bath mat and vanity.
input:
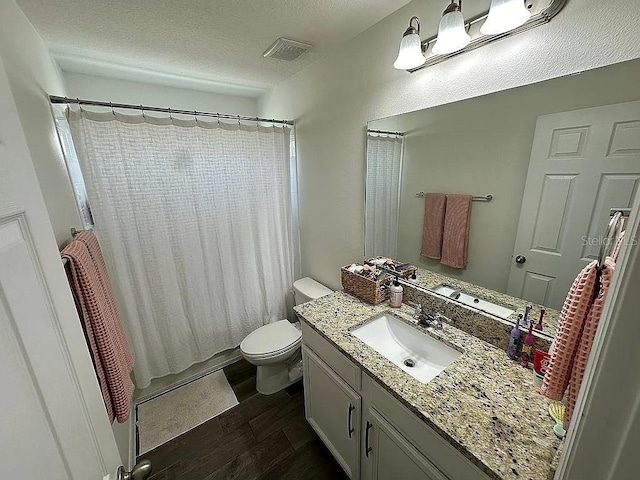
(264, 437)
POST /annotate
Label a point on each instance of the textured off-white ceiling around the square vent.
(218, 41)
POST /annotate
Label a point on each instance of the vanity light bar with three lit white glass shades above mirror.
(455, 35)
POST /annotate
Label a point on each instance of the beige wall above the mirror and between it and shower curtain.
(333, 99)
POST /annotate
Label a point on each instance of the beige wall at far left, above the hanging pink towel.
(33, 75)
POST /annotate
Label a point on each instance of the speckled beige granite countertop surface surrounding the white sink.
(483, 404)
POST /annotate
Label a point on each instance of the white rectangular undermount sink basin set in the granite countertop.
(403, 345)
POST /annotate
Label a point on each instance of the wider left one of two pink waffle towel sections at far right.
(564, 348)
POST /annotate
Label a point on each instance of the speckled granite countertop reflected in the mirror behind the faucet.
(430, 280)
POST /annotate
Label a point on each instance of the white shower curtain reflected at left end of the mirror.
(384, 165)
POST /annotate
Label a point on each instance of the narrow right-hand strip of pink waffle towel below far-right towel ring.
(586, 341)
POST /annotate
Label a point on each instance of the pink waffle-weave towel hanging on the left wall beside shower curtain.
(112, 357)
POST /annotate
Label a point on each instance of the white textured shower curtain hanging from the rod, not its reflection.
(196, 220)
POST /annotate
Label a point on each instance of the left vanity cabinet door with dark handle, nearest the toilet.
(333, 410)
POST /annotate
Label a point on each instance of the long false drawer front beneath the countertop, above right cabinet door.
(442, 454)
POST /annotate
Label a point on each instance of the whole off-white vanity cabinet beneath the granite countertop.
(369, 432)
